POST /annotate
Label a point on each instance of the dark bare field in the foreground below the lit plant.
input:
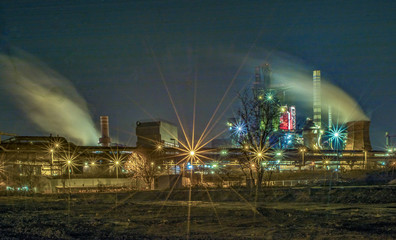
(300, 213)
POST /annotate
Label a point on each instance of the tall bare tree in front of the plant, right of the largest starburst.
(256, 121)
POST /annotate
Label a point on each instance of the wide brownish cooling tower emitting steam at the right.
(358, 136)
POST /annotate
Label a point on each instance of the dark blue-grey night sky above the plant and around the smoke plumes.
(112, 53)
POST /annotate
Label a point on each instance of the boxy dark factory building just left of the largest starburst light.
(151, 133)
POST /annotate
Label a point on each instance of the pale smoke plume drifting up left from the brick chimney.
(48, 99)
